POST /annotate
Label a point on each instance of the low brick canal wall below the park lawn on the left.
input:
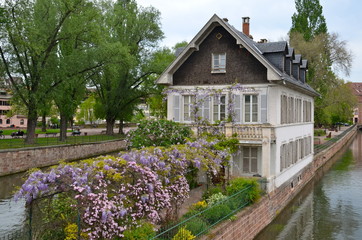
(19, 160)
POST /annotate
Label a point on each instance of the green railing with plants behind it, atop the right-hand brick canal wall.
(199, 223)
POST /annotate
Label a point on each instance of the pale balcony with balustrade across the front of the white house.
(243, 132)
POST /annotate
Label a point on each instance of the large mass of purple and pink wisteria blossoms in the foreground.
(114, 194)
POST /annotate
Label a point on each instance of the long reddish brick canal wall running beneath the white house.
(255, 218)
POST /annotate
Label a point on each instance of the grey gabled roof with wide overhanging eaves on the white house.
(256, 49)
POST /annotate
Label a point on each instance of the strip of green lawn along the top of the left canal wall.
(52, 141)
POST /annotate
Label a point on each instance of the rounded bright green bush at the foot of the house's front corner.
(251, 195)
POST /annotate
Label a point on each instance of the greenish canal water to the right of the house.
(330, 207)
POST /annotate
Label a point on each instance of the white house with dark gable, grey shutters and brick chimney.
(258, 88)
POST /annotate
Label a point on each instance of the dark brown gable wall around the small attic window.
(241, 66)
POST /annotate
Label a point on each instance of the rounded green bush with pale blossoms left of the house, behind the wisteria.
(158, 133)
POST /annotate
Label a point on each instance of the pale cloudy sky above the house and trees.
(270, 19)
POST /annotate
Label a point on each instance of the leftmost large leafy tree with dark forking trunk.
(30, 38)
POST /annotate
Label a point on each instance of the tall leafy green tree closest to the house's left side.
(131, 34)
